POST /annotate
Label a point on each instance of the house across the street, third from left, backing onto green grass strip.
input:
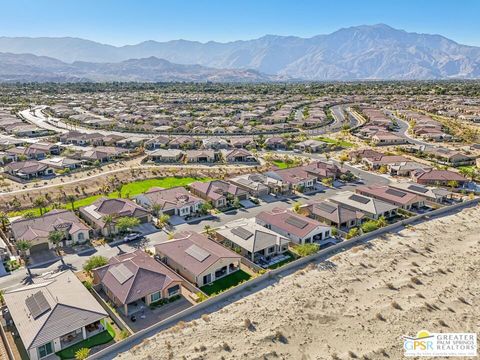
(174, 201)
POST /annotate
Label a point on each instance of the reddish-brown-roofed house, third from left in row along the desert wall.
(197, 258)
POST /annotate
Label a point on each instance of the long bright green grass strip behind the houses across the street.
(128, 190)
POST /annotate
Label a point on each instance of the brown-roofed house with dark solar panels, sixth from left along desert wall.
(333, 214)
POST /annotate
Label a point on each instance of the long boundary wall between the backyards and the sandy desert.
(196, 310)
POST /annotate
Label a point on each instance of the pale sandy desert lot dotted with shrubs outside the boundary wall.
(425, 277)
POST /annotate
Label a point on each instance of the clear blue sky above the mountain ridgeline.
(121, 22)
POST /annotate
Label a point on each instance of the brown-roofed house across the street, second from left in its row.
(103, 209)
